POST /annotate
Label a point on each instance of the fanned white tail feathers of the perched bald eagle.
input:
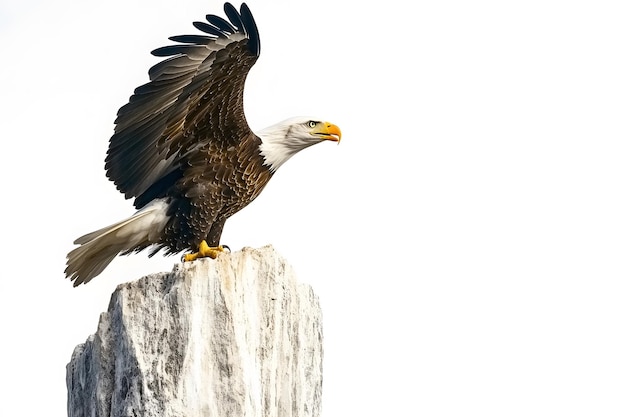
(97, 249)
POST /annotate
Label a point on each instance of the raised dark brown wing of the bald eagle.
(194, 97)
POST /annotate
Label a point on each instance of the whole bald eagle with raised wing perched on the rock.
(183, 150)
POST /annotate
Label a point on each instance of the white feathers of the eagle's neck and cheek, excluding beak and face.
(279, 143)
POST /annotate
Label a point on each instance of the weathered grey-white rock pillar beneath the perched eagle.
(235, 336)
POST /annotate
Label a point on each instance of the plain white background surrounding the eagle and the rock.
(467, 238)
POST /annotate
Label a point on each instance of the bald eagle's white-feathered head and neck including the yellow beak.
(283, 140)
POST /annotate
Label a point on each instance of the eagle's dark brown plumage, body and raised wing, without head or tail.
(197, 151)
